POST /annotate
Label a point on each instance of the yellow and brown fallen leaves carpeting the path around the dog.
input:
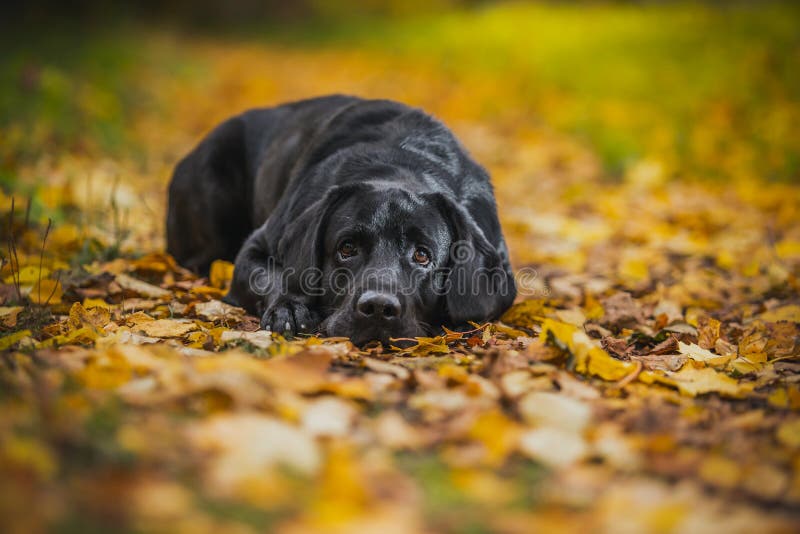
(646, 380)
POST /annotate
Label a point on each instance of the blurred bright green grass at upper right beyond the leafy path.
(630, 78)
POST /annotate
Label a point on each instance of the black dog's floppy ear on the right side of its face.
(480, 285)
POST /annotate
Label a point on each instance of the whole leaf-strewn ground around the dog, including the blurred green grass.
(648, 378)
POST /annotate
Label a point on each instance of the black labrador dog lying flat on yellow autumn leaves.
(345, 216)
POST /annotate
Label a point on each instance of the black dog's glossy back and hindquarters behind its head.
(244, 169)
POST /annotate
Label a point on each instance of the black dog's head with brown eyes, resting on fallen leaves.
(383, 262)
